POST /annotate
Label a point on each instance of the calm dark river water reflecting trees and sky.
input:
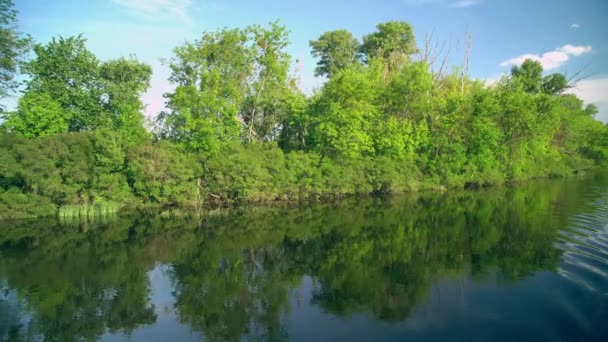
(522, 263)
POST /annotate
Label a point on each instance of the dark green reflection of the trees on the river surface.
(234, 272)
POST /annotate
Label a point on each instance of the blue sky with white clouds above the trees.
(567, 36)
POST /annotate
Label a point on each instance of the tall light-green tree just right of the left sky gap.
(210, 75)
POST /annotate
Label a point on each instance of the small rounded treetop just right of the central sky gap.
(336, 51)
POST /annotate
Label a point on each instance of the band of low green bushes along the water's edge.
(89, 174)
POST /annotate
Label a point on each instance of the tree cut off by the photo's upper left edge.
(13, 46)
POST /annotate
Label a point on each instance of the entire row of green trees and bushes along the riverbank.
(237, 127)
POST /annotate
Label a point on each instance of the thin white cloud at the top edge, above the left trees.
(156, 9)
